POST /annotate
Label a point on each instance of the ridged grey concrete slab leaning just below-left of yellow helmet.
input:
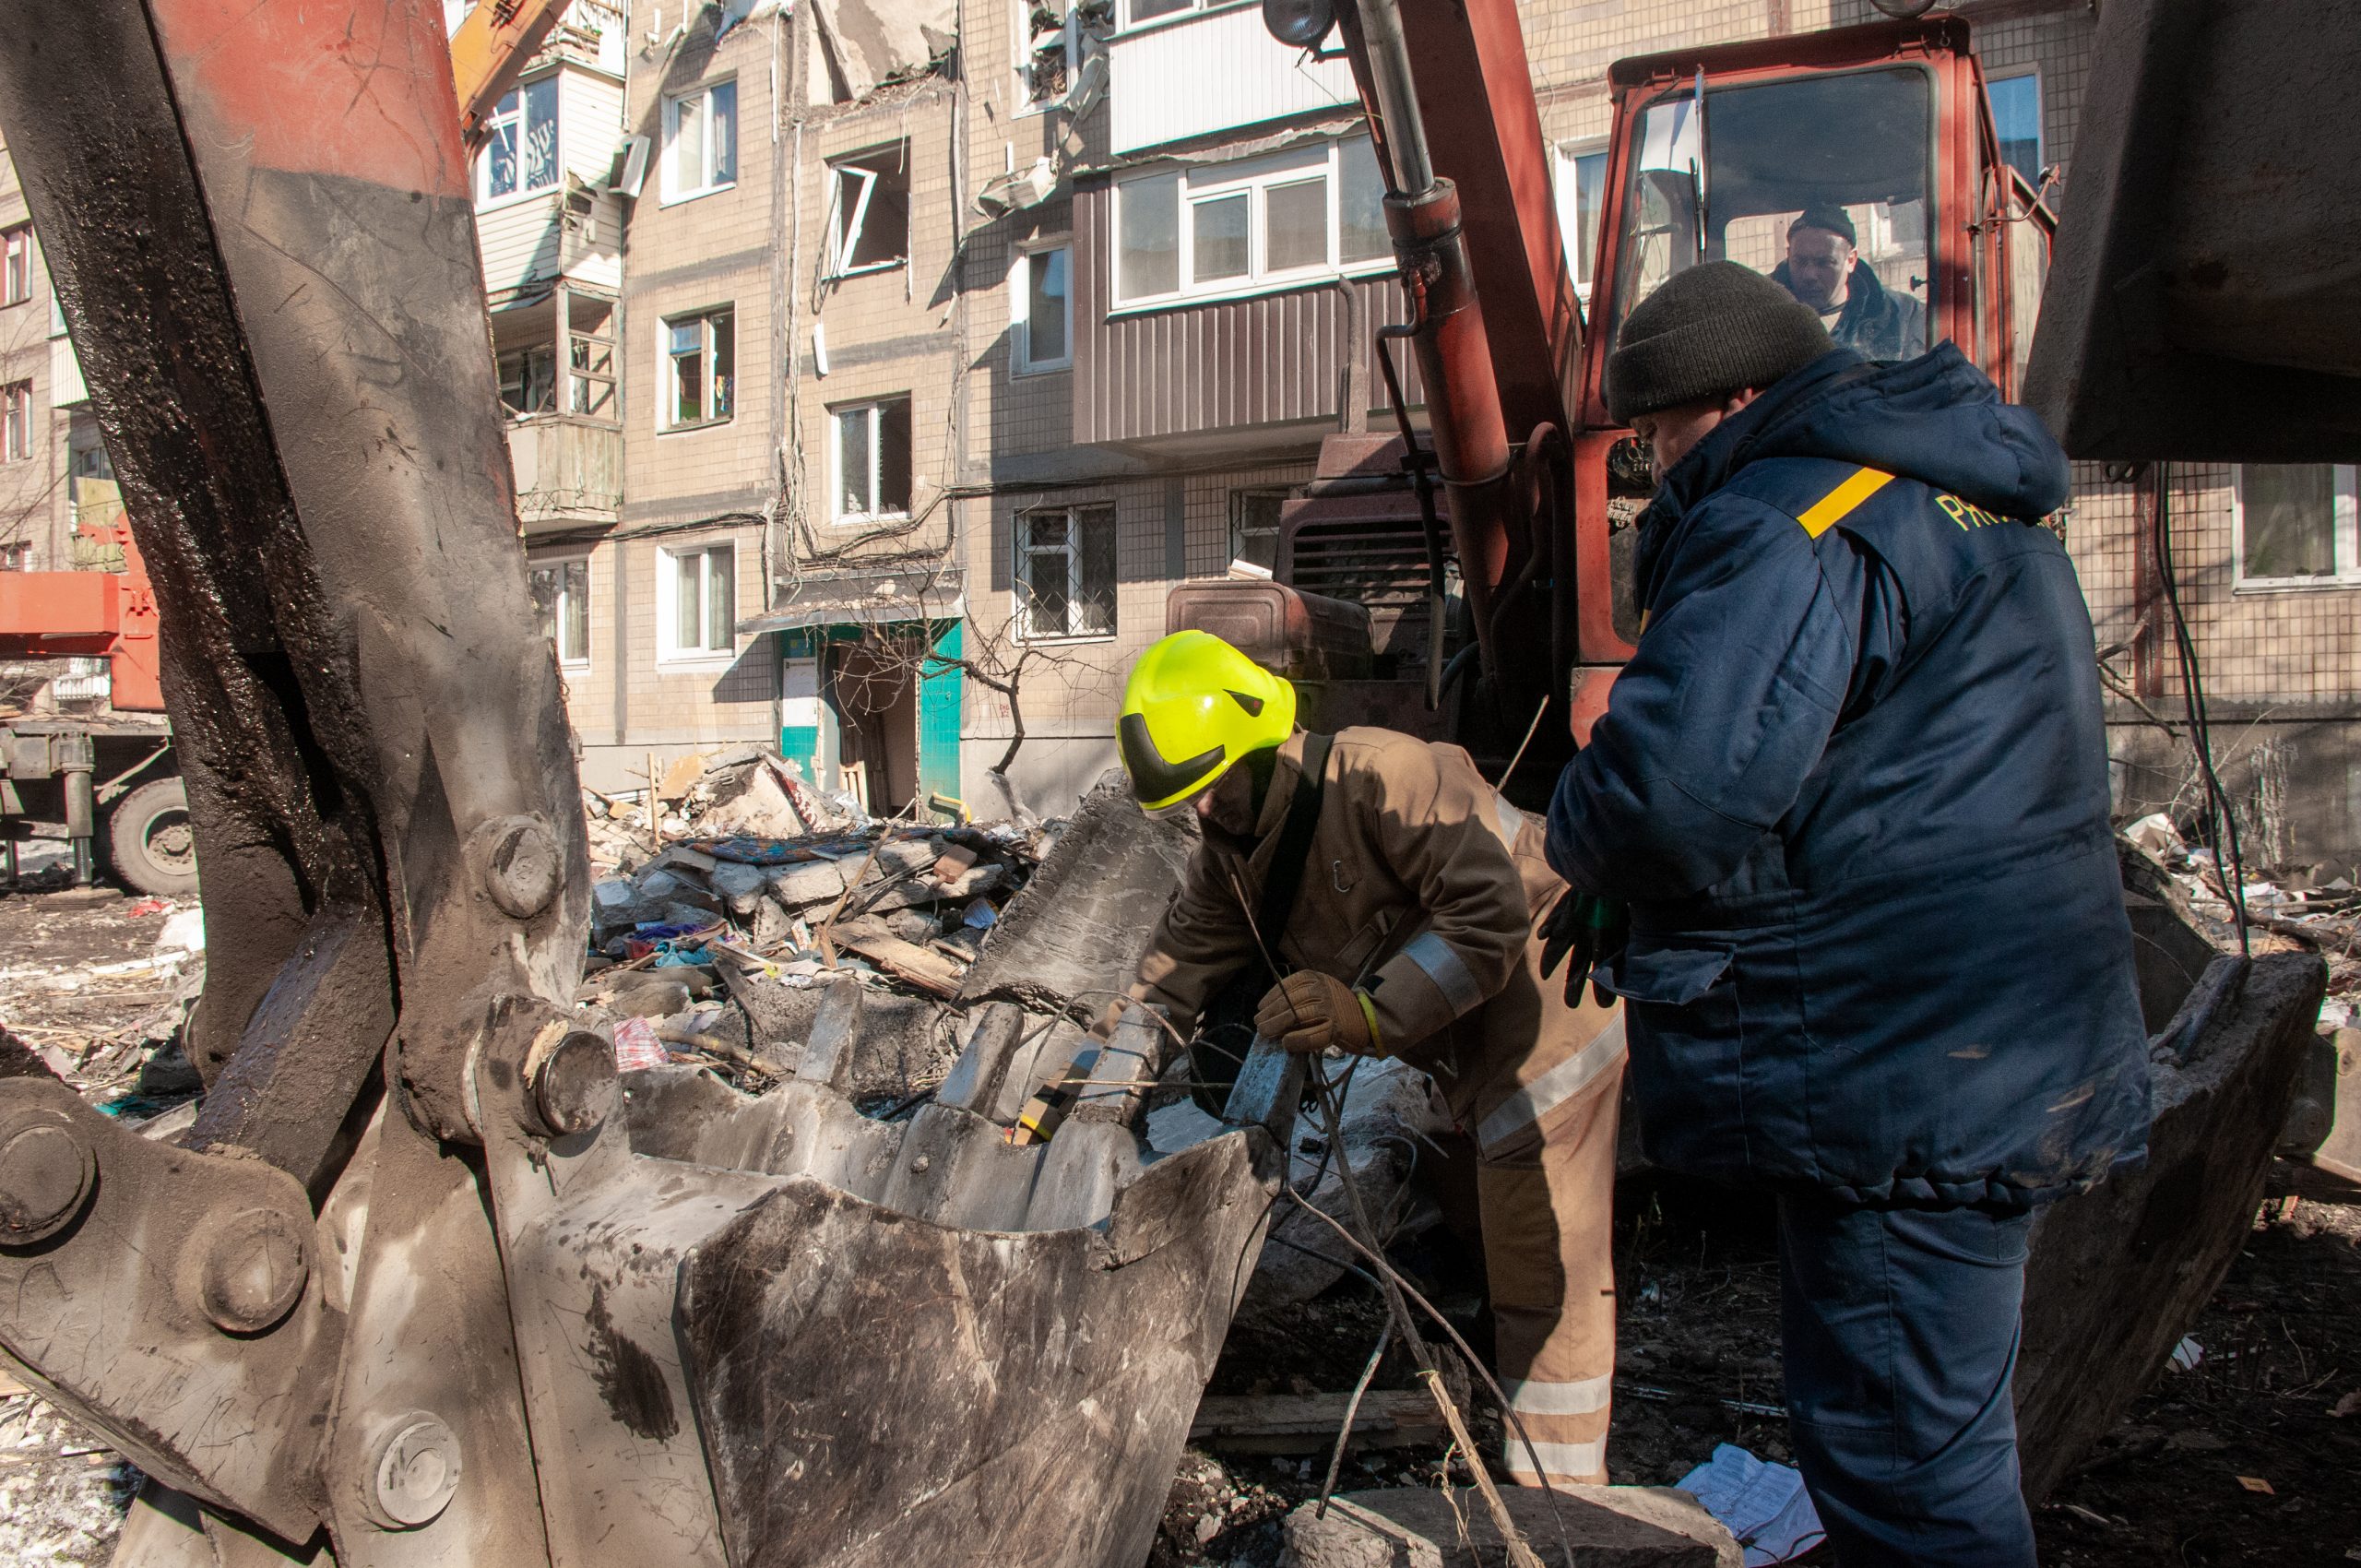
(1087, 915)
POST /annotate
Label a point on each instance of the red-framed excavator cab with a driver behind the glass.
(1859, 169)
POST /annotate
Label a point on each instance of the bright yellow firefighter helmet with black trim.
(1193, 707)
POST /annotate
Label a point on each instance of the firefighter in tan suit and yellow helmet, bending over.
(1382, 899)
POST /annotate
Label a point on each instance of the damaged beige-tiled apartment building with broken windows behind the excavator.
(877, 372)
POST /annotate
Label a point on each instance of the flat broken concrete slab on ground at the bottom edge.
(1413, 1527)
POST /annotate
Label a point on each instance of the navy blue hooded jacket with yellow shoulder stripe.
(1855, 792)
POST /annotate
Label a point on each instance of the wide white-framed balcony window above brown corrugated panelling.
(1201, 185)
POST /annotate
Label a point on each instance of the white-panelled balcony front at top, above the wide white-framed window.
(1210, 72)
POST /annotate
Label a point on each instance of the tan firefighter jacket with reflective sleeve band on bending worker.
(1423, 889)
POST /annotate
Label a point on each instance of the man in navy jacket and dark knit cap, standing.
(1852, 802)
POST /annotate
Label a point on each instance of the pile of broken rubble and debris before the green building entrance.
(717, 925)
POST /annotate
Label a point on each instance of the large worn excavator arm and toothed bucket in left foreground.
(429, 1281)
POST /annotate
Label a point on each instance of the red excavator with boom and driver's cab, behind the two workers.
(1859, 166)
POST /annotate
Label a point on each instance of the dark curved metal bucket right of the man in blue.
(2119, 1274)
